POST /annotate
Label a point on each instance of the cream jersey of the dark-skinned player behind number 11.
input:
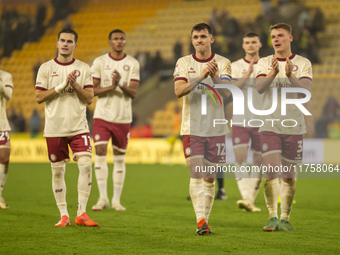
(115, 106)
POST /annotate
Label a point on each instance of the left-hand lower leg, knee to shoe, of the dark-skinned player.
(101, 172)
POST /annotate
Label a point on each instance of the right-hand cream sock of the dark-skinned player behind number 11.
(119, 170)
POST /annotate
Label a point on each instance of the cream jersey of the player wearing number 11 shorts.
(65, 114)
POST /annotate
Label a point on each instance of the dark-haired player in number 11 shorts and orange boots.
(65, 85)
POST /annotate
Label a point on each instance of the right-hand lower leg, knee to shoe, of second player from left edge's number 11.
(119, 170)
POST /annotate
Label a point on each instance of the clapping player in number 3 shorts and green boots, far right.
(282, 145)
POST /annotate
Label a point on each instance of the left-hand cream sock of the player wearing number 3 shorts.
(271, 195)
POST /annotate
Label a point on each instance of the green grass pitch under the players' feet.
(159, 219)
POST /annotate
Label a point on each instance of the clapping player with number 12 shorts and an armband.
(203, 144)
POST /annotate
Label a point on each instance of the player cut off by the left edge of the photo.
(6, 89)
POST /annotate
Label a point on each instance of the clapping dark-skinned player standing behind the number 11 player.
(116, 81)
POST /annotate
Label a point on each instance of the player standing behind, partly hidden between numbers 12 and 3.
(243, 73)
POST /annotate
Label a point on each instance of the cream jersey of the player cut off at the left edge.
(6, 89)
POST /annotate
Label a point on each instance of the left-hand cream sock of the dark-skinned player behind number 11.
(101, 171)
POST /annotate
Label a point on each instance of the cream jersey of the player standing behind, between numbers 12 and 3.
(239, 68)
